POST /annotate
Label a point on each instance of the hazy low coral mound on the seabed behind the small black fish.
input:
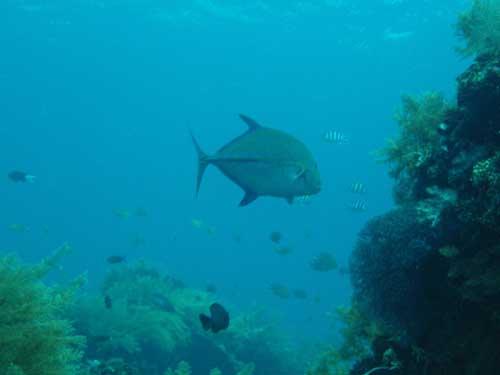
(152, 325)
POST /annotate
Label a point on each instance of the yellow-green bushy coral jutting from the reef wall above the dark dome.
(419, 119)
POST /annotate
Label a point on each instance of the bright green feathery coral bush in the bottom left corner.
(34, 338)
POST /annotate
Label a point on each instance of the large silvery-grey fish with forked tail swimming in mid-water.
(264, 162)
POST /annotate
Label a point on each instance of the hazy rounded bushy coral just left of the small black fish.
(141, 323)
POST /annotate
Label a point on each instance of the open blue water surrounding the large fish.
(96, 98)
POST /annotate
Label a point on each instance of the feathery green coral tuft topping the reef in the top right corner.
(479, 27)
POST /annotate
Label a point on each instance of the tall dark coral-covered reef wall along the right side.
(428, 272)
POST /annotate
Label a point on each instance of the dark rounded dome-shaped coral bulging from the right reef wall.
(388, 268)
